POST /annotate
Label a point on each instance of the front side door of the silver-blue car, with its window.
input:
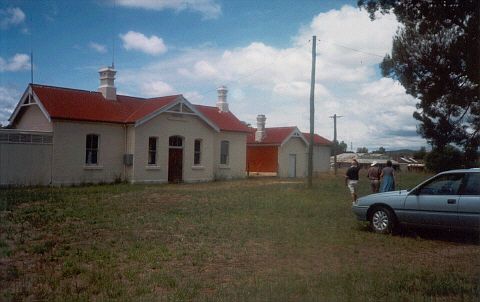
(435, 202)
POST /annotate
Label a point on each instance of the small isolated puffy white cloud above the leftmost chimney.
(137, 41)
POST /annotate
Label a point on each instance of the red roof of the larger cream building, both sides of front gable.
(82, 105)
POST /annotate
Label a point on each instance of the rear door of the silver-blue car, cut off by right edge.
(469, 203)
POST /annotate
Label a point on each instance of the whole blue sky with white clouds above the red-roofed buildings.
(261, 50)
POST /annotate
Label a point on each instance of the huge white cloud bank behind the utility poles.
(276, 81)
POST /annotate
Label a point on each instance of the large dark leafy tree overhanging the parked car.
(435, 57)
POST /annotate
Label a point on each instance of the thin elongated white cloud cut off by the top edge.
(209, 9)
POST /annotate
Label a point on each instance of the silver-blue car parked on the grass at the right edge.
(449, 199)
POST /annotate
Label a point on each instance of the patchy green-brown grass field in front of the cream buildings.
(249, 240)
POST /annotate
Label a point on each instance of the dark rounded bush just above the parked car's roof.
(442, 160)
